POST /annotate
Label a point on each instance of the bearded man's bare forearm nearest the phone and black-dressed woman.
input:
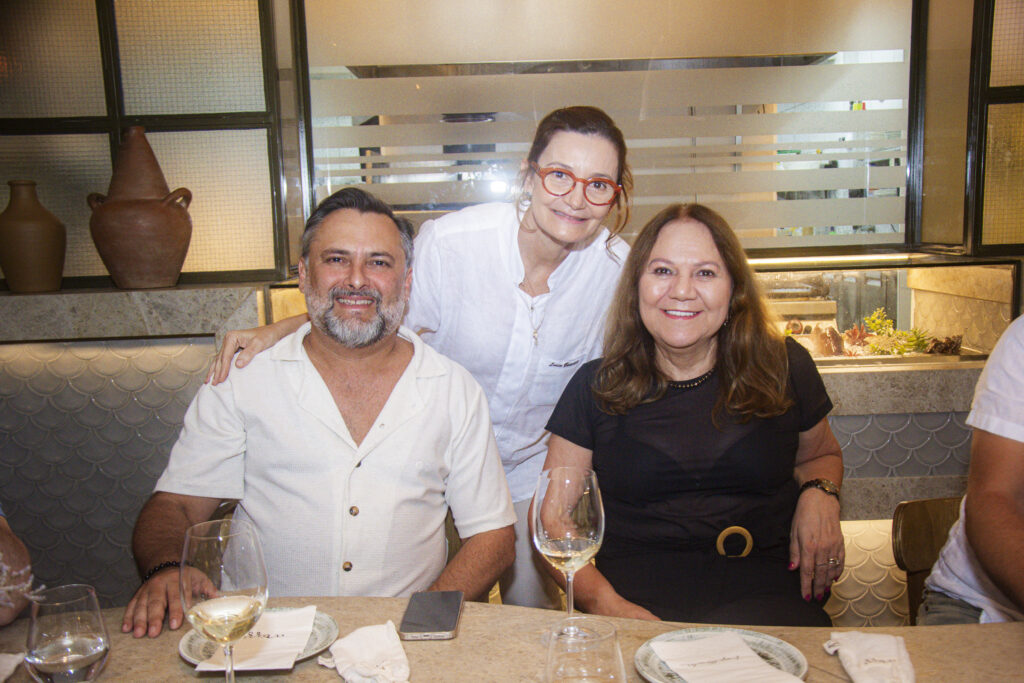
(480, 563)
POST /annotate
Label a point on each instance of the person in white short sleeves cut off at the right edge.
(979, 576)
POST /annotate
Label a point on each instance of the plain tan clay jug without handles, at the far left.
(32, 242)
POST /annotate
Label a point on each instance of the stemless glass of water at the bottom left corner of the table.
(67, 641)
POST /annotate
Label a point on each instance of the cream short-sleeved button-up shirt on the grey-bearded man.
(336, 519)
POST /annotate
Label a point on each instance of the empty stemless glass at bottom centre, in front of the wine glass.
(584, 649)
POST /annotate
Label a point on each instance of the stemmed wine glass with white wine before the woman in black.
(568, 521)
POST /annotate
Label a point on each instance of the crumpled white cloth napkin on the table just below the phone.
(370, 655)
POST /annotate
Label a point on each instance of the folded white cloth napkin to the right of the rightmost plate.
(872, 658)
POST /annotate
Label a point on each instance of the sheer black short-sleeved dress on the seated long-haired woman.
(672, 481)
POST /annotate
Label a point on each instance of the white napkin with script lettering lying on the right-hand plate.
(716, 659)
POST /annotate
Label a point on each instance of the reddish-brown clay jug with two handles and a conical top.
(141, 229)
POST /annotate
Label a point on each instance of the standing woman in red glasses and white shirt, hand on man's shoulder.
(518, 294)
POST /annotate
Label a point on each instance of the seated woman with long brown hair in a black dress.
(708, 433)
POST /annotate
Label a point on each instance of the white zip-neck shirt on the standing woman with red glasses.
(467, 304)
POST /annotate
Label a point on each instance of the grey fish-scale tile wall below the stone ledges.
(87, 428)
